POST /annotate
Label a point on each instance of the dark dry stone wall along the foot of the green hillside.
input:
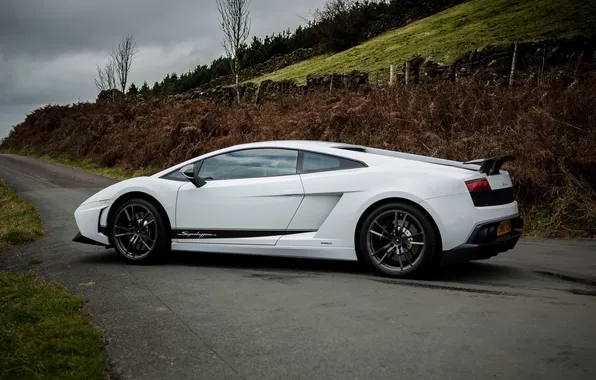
(488, 66)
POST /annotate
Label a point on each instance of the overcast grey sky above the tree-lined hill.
(49, 49)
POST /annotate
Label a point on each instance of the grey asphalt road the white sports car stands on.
(233, 317)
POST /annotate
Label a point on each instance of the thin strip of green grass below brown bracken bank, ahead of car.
(113, 172)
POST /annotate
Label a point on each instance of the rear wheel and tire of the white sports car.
(380, 240)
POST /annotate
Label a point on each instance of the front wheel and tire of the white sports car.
(136, 243)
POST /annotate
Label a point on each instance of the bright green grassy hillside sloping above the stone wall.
(446, 35)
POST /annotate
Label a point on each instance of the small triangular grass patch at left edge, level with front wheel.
(19, 221)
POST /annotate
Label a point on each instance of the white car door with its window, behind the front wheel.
(250, 197)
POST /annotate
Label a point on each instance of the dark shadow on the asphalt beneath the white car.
(472, 272)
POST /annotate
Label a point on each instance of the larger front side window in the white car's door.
(250, 163)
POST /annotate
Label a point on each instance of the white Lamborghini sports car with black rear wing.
(399, 213)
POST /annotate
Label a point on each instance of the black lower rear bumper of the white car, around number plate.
(483, 243)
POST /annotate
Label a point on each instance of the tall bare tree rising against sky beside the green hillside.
(235, 24)
